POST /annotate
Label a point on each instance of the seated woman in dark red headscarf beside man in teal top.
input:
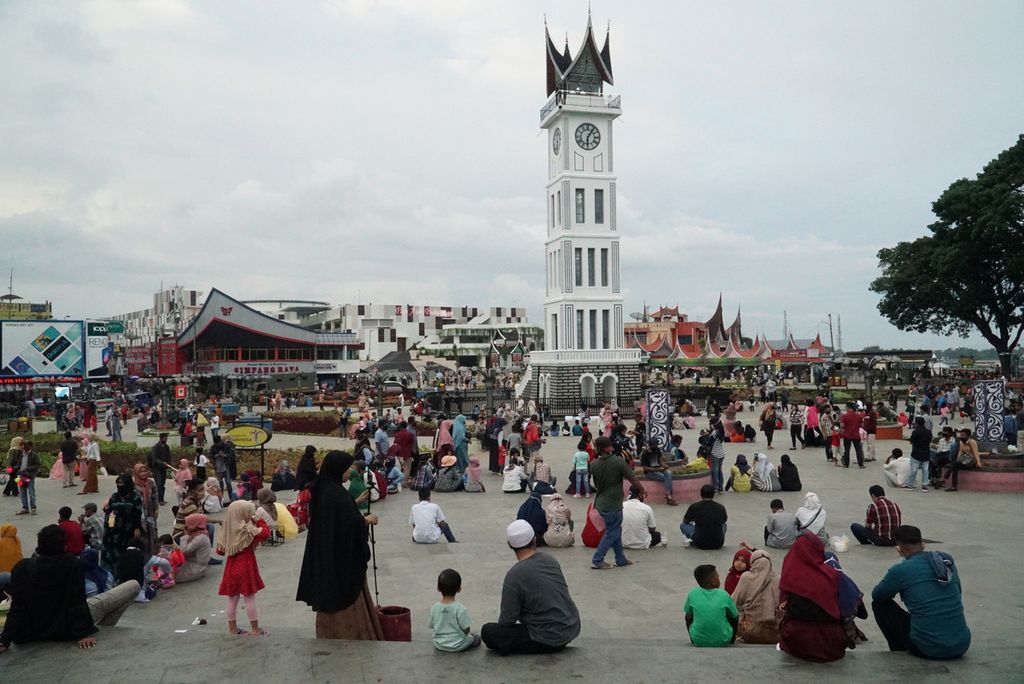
(813, 626)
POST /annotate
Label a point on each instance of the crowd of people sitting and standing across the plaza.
(809, 609)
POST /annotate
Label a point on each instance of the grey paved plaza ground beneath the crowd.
(632, 618)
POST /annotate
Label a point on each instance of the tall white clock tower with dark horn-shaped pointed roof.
(584, 360)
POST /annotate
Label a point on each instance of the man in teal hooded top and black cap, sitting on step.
(929, 585)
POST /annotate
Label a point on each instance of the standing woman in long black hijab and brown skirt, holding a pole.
(333, 580)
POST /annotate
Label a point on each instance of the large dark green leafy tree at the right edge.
(969, 274)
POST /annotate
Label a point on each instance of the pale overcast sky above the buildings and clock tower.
(390, 152)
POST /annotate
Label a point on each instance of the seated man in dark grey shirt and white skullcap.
(538, 615)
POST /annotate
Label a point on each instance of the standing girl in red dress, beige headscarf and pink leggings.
(240, 536)
